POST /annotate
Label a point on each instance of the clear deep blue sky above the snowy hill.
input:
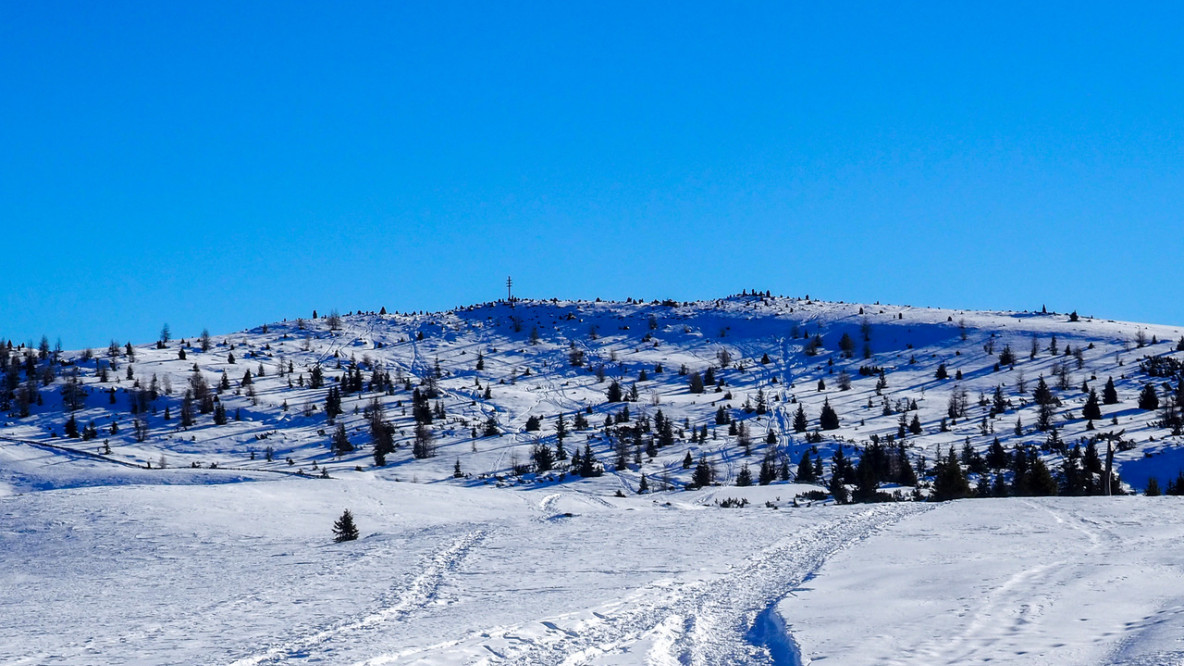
(223, 165)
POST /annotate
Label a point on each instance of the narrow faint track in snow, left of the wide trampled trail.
(421, 592)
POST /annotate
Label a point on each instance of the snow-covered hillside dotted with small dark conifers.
(512, 363)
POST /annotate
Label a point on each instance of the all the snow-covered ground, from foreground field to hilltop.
(105, 561)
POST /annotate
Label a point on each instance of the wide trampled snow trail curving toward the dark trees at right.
(674, 623)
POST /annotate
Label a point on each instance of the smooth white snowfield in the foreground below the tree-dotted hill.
(247, 573)
